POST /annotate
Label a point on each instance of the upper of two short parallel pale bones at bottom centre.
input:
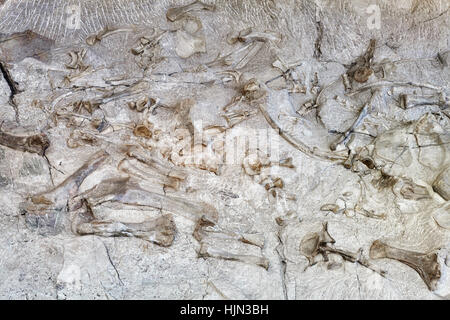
(206, 228)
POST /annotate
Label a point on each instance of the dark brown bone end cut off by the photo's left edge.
(36, 143)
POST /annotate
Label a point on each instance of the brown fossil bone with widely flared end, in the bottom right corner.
(425, 264)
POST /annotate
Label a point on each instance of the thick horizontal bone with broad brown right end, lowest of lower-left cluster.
(160, 231)
